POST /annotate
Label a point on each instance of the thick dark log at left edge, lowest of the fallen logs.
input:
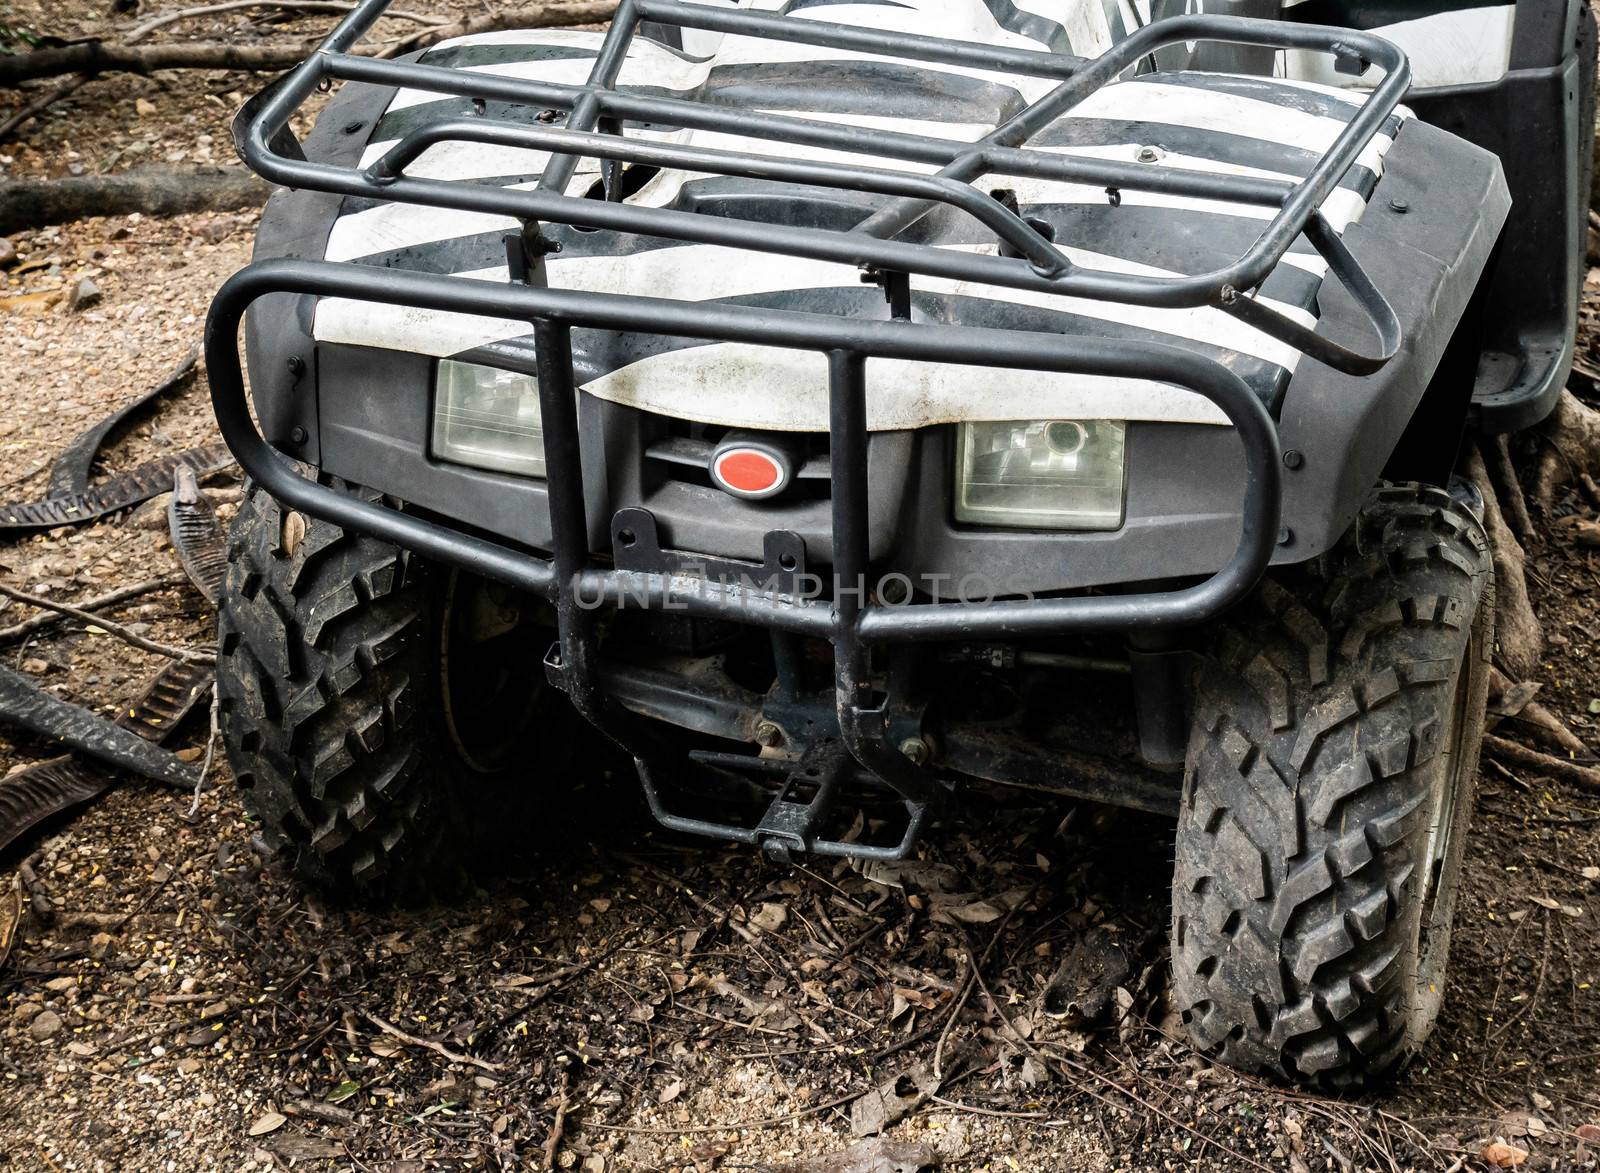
(154, 191)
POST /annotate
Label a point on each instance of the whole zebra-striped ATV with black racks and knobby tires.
(842, 404)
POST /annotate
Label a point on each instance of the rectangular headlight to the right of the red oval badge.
(1042, 474)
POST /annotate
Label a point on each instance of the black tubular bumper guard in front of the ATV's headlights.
(577, 585)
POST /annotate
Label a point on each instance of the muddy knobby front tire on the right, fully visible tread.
(1329, 787)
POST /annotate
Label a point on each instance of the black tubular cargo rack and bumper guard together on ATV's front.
(596, 114)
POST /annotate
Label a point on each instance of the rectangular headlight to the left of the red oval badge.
(489, 418)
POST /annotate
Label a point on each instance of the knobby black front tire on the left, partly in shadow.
(351, 737)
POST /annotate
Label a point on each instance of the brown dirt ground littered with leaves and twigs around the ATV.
(626, 999)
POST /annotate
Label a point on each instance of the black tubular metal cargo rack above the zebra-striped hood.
(1041, 268)
